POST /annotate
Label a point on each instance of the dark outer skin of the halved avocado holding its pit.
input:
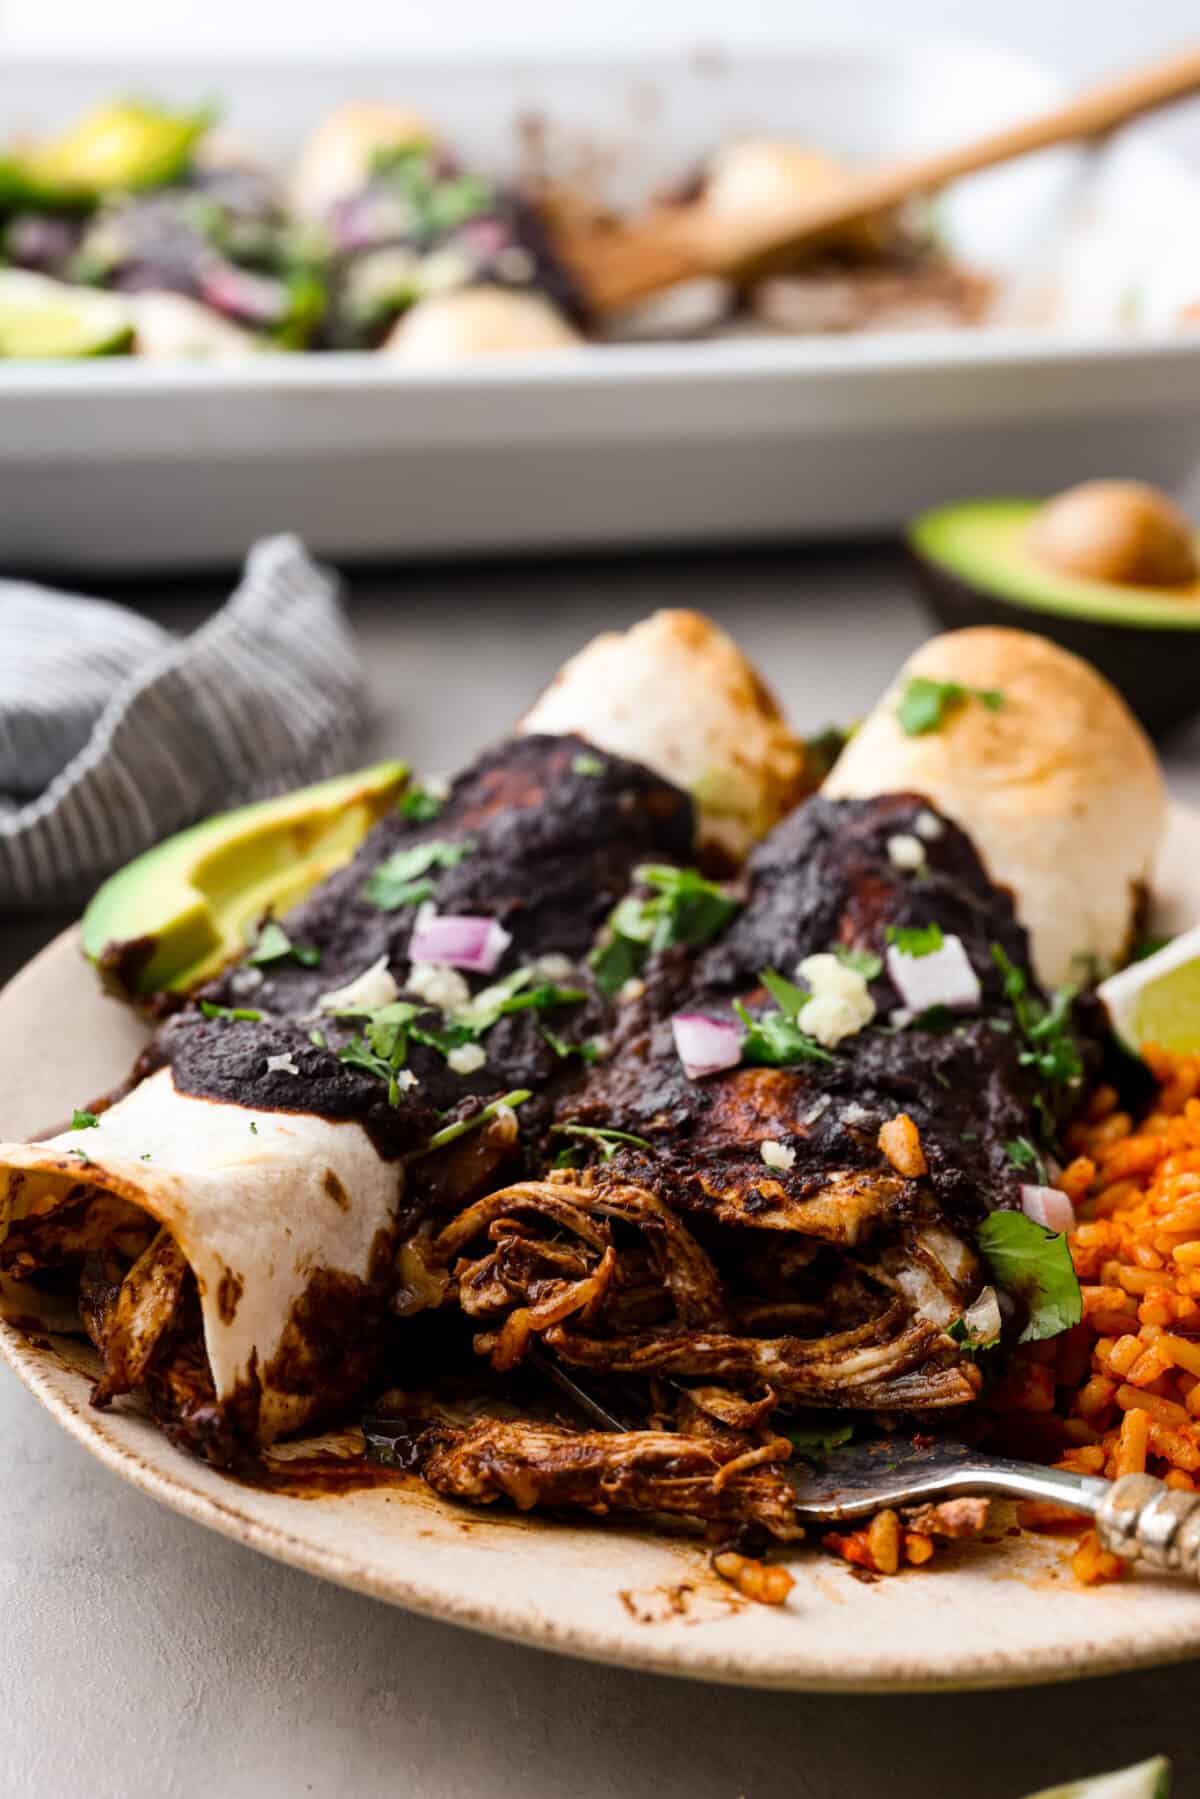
(1158, 672)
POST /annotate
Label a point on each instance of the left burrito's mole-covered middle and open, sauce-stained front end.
(229, 1224)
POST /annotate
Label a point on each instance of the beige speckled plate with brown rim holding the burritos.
(999, 1615)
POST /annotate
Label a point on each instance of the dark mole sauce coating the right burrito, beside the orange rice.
(827, 879)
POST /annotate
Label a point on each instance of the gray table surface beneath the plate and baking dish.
(143, 1656)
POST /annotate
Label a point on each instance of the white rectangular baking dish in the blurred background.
(132, 465)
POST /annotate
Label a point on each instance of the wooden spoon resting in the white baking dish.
(618, 264)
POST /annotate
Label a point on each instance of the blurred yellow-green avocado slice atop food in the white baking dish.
(120, 148)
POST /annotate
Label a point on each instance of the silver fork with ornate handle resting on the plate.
(1138, 1517)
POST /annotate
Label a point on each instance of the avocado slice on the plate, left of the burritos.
(175, 915)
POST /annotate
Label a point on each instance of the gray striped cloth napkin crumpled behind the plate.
(114, 733)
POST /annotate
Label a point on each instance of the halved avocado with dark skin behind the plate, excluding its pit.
(976, 568)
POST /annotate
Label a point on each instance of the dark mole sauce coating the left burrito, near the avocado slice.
(555, 832)
